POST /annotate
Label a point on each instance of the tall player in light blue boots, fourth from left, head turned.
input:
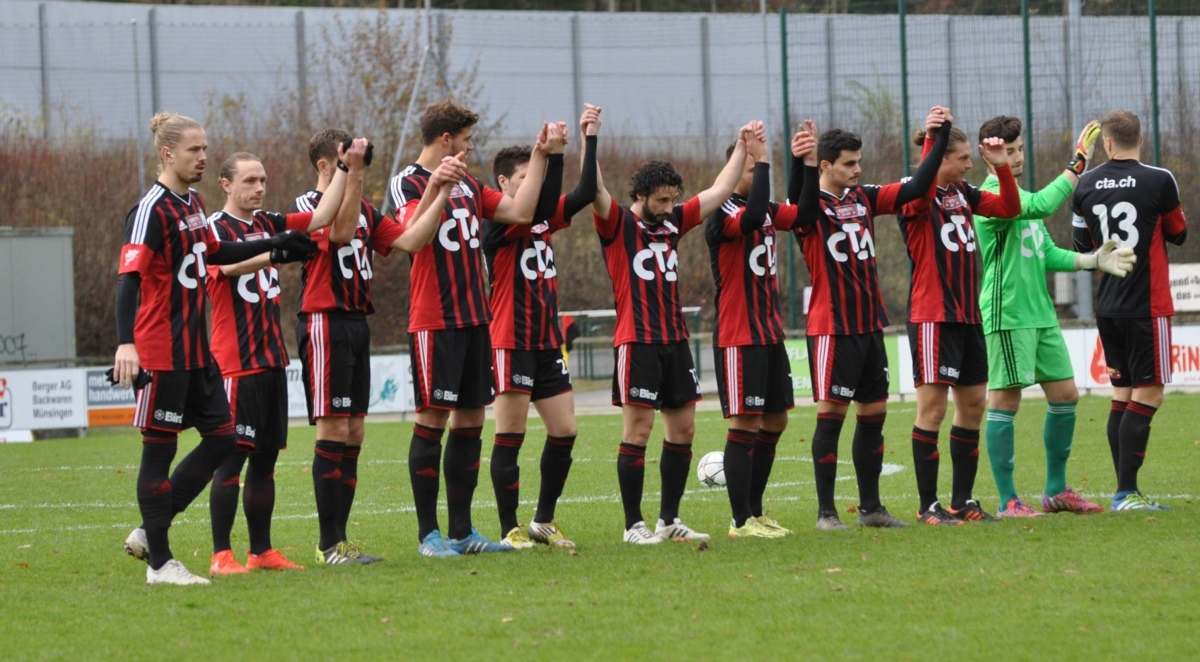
(448, 322)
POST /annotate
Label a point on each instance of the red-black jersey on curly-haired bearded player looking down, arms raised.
(643, 264)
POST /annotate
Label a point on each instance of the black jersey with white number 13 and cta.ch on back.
(1139, 207)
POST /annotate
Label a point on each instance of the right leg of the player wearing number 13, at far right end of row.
(1150, 366)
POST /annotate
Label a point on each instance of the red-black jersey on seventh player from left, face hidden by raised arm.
(745, 272)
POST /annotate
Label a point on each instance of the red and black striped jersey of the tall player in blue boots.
(447, 276)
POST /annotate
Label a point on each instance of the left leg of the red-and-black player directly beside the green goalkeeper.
(933, 395)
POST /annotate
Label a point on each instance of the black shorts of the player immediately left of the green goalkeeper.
(949, 353)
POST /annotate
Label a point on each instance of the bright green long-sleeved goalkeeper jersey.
(1017, 255)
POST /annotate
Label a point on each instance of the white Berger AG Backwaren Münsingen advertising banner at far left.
(44, 400)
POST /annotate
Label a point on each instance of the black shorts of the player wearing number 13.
(1137, 351)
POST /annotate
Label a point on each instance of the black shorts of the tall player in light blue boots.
(453, 369)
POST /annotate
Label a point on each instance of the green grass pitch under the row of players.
(1066, 587)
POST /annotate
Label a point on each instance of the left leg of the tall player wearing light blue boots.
(431, 363)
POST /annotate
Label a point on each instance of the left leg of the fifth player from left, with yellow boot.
(514, 377)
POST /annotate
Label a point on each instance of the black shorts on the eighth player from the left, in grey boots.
(847, 369)
